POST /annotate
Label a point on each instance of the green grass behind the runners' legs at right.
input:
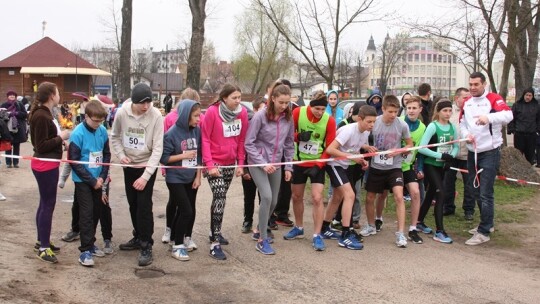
(509, 209)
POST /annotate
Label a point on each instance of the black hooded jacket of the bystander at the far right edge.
(526, 115)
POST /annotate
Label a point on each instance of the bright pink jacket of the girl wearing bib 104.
(218, 149)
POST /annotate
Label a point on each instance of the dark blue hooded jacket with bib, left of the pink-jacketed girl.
(179, 138)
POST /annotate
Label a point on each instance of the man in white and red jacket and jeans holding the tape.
(481, 120)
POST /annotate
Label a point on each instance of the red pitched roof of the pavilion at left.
(45, 53)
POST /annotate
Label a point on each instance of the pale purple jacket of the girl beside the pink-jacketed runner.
(267, 141)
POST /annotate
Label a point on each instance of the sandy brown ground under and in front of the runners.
(381, 273)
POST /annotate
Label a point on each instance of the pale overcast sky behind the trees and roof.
(156, 23)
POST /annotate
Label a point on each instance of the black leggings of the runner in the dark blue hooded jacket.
(182, 197)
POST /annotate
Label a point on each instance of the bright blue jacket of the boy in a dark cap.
(87, 144)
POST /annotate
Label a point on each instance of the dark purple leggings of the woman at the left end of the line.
(47, 184)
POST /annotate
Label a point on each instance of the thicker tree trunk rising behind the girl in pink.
(198, 15)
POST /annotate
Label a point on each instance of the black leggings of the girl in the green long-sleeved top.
(434, 179)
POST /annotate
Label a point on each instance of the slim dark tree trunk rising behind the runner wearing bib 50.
(125, 50)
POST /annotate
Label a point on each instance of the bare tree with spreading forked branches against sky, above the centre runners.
(317, 29)
